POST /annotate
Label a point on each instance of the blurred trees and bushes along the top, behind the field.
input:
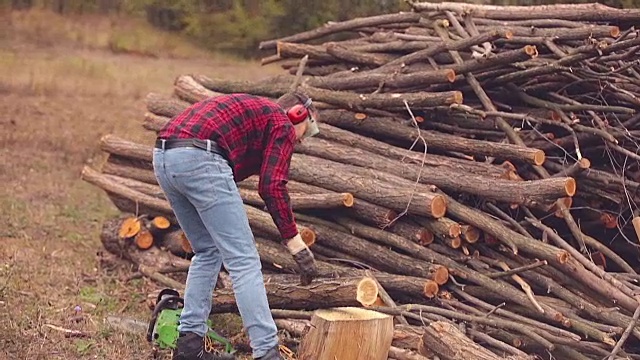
(237, 26)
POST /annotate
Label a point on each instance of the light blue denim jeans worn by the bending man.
(201, 190)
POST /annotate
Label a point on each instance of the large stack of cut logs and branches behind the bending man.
(477, 164)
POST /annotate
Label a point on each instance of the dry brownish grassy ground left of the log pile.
(63, 86)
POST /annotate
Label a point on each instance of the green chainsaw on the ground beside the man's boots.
(163, 326)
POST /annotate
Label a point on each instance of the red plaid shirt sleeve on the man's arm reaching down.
(274, 175)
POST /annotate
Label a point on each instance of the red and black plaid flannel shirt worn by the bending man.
(258, 138)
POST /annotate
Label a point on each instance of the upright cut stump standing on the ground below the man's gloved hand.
(347, 333)
